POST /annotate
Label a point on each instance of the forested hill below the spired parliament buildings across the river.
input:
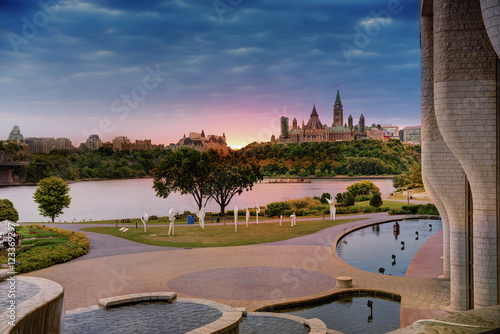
(357, 157)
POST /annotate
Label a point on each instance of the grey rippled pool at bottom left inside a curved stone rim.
(156, 317)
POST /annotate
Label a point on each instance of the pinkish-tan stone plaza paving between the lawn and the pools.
(301, 269)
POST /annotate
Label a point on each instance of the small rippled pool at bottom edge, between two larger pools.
(254, 324)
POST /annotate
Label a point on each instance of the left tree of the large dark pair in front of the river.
(185, 170)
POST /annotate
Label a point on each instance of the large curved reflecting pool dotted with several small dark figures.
(373, 247)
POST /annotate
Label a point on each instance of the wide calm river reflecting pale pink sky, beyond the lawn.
(114, 199)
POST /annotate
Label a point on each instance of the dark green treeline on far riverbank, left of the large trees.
(103, 163)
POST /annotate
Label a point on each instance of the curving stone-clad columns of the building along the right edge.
(460, 52)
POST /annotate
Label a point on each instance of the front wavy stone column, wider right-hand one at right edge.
(465, 108)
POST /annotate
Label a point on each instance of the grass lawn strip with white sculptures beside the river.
(220, 235)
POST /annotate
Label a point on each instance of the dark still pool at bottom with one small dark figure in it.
(350, 314)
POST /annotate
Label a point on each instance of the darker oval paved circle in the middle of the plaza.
(252, 283)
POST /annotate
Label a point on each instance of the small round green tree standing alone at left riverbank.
(52, 197)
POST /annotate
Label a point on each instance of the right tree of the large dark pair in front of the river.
(231, 174)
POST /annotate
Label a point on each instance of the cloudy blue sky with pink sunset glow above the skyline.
(159, 69)
